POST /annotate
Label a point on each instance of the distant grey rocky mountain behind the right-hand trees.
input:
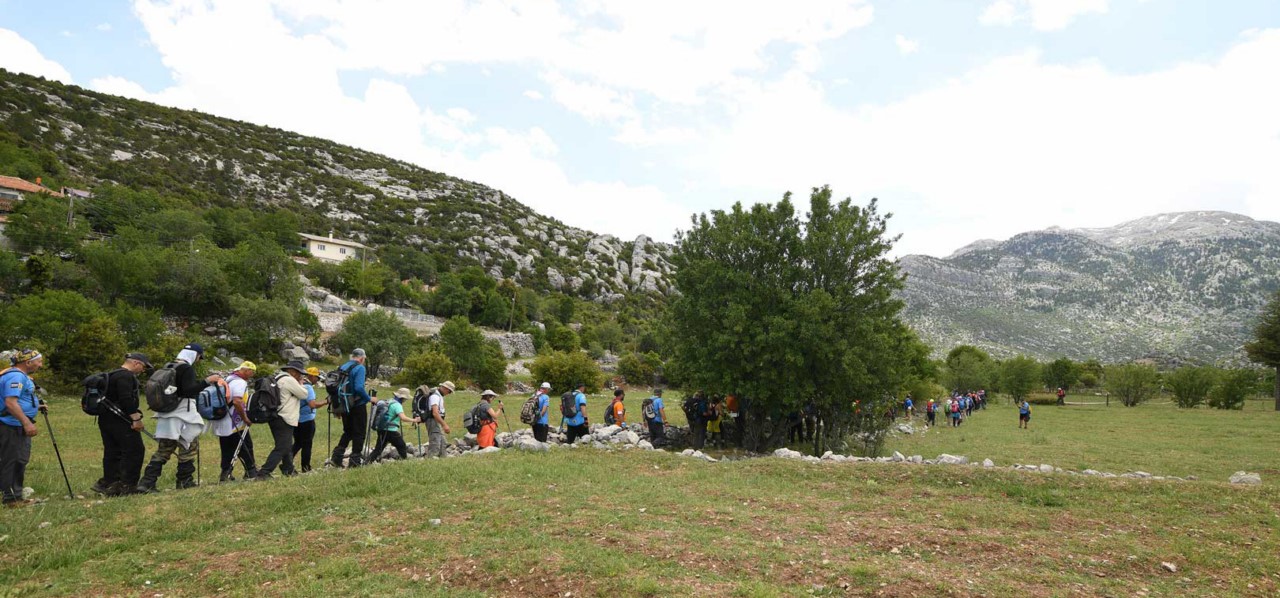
(1186, 285)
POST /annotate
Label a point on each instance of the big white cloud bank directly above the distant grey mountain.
(1021, 144)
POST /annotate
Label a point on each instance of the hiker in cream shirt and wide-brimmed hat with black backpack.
(284, 394)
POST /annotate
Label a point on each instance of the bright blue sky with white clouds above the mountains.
(966, 120)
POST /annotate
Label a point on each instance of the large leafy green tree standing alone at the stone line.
(785, 311)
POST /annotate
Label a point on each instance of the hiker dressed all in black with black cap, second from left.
(122, 441)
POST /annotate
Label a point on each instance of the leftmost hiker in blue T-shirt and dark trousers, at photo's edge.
(20, 423)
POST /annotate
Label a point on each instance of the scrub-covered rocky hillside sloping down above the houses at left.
(358, 194)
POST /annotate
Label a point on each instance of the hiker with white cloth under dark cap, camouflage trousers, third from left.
(179, 431)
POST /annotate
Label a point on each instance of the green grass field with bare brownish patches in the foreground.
(595, 523)
